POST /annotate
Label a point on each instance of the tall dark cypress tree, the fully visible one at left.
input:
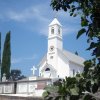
(6, 57)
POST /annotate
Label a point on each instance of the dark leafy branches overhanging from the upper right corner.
(89, 12)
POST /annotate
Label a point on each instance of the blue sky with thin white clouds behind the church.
(28, 22)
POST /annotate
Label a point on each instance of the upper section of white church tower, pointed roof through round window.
(55, 36)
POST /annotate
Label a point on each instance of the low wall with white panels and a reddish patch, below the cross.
(24, 87)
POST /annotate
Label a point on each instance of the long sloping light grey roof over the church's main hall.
(73, 58)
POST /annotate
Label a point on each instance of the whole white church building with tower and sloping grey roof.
(58, 62)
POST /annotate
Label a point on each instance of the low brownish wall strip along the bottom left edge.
(6, 97)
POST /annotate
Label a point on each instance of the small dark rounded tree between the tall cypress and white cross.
(15, 75)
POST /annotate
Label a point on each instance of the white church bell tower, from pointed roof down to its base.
(54, 44)
